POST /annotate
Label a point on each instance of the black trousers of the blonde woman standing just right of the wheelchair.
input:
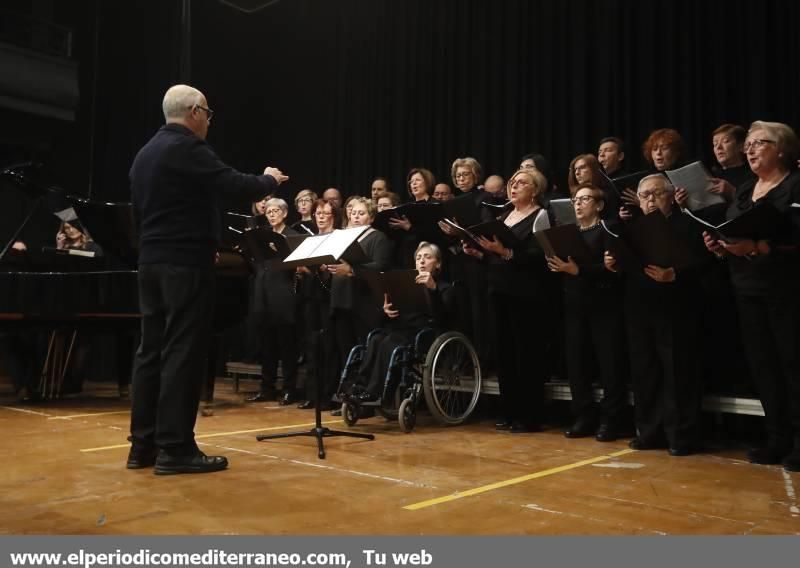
(521, 336)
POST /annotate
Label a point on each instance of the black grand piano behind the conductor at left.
(74, 293)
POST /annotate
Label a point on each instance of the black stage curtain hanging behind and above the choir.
(336, 92)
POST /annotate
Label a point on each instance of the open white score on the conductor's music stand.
(328, 249)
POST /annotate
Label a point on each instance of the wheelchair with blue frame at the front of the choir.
(443, 369)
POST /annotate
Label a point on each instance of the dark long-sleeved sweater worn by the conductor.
(175, 181)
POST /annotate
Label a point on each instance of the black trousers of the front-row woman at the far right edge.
(771, 339)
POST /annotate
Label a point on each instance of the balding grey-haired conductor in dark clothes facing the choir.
(175, 182)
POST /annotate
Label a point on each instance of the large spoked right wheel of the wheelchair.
(451, 378)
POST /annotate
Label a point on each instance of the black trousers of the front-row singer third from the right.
(595, 332)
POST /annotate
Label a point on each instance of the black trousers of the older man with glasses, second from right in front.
(666, 385)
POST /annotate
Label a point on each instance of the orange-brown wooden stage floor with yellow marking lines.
(64, 474)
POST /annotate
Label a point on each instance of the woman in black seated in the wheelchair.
(402, 328)
